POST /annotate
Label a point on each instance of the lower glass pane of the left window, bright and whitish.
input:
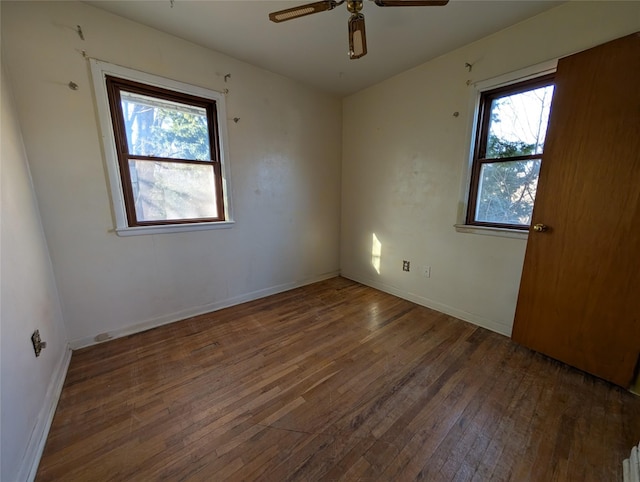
(172, 190)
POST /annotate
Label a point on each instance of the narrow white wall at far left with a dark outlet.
(29, 386)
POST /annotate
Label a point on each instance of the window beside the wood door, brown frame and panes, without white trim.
(511, 128)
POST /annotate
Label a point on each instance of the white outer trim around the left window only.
(99, 71)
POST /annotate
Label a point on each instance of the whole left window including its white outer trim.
(164, 144)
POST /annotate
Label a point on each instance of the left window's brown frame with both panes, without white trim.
(167, 154)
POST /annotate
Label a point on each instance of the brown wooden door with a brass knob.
(579, 299)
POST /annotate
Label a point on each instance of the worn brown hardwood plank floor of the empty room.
(333, 381)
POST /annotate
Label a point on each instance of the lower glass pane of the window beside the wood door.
(506, 191)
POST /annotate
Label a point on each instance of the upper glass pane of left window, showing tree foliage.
(161, 128)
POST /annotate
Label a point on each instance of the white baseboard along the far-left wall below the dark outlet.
(38, 439)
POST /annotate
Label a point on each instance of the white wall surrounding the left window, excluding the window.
(285, 156)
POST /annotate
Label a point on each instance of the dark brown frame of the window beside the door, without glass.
(481, 140)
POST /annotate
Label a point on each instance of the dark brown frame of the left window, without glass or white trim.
(114, 85)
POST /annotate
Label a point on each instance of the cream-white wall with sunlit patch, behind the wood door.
(404, 165)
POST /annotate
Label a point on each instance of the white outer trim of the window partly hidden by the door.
(478, 88)
